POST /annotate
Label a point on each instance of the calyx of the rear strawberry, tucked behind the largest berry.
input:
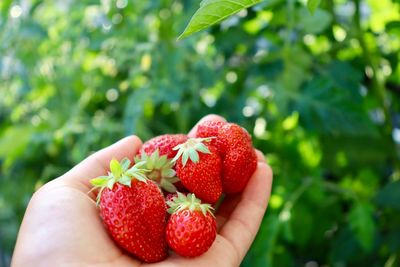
(160, 170)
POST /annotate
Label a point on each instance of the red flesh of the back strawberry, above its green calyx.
(164, 144)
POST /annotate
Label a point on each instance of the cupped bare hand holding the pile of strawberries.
(62, 226)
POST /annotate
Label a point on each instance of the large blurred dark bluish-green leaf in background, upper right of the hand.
(327, 107)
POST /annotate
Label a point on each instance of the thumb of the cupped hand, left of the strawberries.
(98, 163)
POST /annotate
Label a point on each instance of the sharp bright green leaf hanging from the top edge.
(214, 11)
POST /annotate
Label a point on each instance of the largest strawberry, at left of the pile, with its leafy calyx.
(133, 210)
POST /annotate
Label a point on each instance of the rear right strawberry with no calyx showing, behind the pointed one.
(239, 160)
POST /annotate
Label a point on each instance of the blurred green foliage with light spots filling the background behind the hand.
(318, 91)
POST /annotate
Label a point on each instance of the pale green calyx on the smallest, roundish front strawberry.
(189, 202)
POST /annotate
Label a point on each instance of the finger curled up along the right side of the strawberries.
(243, 224)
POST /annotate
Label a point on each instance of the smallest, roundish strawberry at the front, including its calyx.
(192, 227)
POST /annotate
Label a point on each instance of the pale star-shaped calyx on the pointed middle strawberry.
(190, 150)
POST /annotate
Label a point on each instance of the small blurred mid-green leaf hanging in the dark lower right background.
(362, 224)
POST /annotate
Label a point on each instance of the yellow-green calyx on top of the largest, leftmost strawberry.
(119, 173)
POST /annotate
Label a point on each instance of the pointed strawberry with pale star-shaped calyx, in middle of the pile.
(200, 173)
